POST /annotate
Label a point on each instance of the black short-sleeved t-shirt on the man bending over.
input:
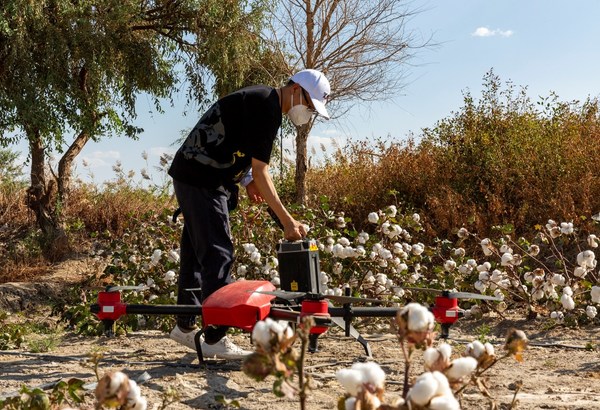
(238, 127)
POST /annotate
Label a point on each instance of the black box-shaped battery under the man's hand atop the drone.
(299, 266)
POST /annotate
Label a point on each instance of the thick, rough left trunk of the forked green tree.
(41, 197)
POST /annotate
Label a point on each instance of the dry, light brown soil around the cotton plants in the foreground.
(558, 371)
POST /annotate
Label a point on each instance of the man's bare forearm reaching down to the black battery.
(292, 229)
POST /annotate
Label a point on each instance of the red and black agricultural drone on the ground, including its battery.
(242, 304)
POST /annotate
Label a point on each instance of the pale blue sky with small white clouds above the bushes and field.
(545, 45)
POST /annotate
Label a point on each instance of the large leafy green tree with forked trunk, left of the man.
(70, 72)
